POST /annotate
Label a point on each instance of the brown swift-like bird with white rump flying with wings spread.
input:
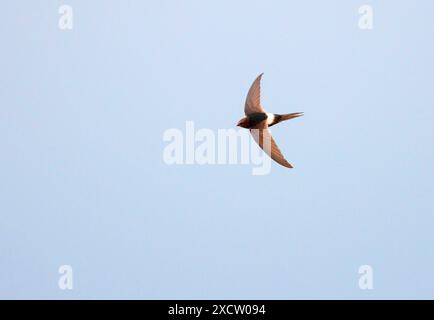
(257, 120)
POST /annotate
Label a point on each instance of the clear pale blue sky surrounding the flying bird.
(83, 181)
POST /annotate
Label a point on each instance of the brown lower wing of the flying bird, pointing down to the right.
(264, 139)
